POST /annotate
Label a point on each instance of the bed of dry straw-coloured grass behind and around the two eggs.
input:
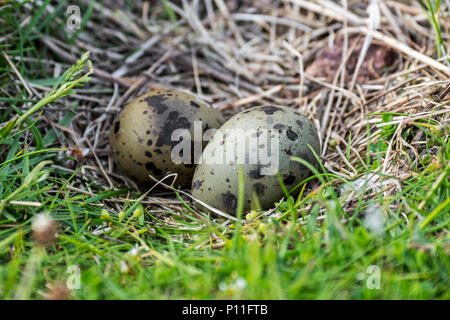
(315, 57)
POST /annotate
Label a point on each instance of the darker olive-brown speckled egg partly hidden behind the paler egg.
(141, 135)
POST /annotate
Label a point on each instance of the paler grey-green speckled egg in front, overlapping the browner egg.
(276, 133)
